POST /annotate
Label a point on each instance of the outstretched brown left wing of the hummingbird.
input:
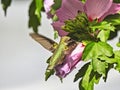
(47, 43)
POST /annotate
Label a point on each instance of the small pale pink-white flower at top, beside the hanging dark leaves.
(47, 6)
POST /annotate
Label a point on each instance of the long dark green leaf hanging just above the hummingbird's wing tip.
(34, 21)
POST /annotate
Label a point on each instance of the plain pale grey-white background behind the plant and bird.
(23, 61)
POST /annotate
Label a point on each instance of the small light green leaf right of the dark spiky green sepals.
(104, 35)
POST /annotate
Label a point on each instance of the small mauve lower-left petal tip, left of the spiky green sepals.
(57, 26)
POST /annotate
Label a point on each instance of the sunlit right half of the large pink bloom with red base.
(99, 9)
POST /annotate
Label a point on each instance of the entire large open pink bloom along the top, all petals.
(94, 9)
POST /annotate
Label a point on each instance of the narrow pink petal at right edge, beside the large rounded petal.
(115, 8)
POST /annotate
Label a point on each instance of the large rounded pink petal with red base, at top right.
(97, 8)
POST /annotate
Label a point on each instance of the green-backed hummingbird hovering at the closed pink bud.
(59, 50)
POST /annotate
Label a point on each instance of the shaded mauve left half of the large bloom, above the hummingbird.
(68, 10)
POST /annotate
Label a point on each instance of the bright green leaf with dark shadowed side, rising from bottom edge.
(89, 79)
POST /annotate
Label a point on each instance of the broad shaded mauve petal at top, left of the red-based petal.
(69, 9)
